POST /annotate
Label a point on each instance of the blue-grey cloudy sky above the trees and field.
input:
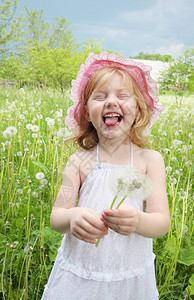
(125, 26)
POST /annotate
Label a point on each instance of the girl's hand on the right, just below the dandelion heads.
(124, 220)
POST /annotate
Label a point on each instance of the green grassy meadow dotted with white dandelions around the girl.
(33, 157)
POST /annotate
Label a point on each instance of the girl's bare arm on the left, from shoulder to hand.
(82, 222)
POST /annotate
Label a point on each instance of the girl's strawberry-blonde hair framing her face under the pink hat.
(87, 136)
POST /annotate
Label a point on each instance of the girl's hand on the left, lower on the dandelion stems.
(86, 225)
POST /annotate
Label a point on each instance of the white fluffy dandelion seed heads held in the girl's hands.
(128, 182)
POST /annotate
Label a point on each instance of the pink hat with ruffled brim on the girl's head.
(139, 72)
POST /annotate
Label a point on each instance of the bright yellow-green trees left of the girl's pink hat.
(45, 53)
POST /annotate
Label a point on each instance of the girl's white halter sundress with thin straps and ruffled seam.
(120, 268)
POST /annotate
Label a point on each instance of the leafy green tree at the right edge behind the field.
(179, 78)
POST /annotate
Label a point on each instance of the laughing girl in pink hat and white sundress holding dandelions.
(115, 104)
